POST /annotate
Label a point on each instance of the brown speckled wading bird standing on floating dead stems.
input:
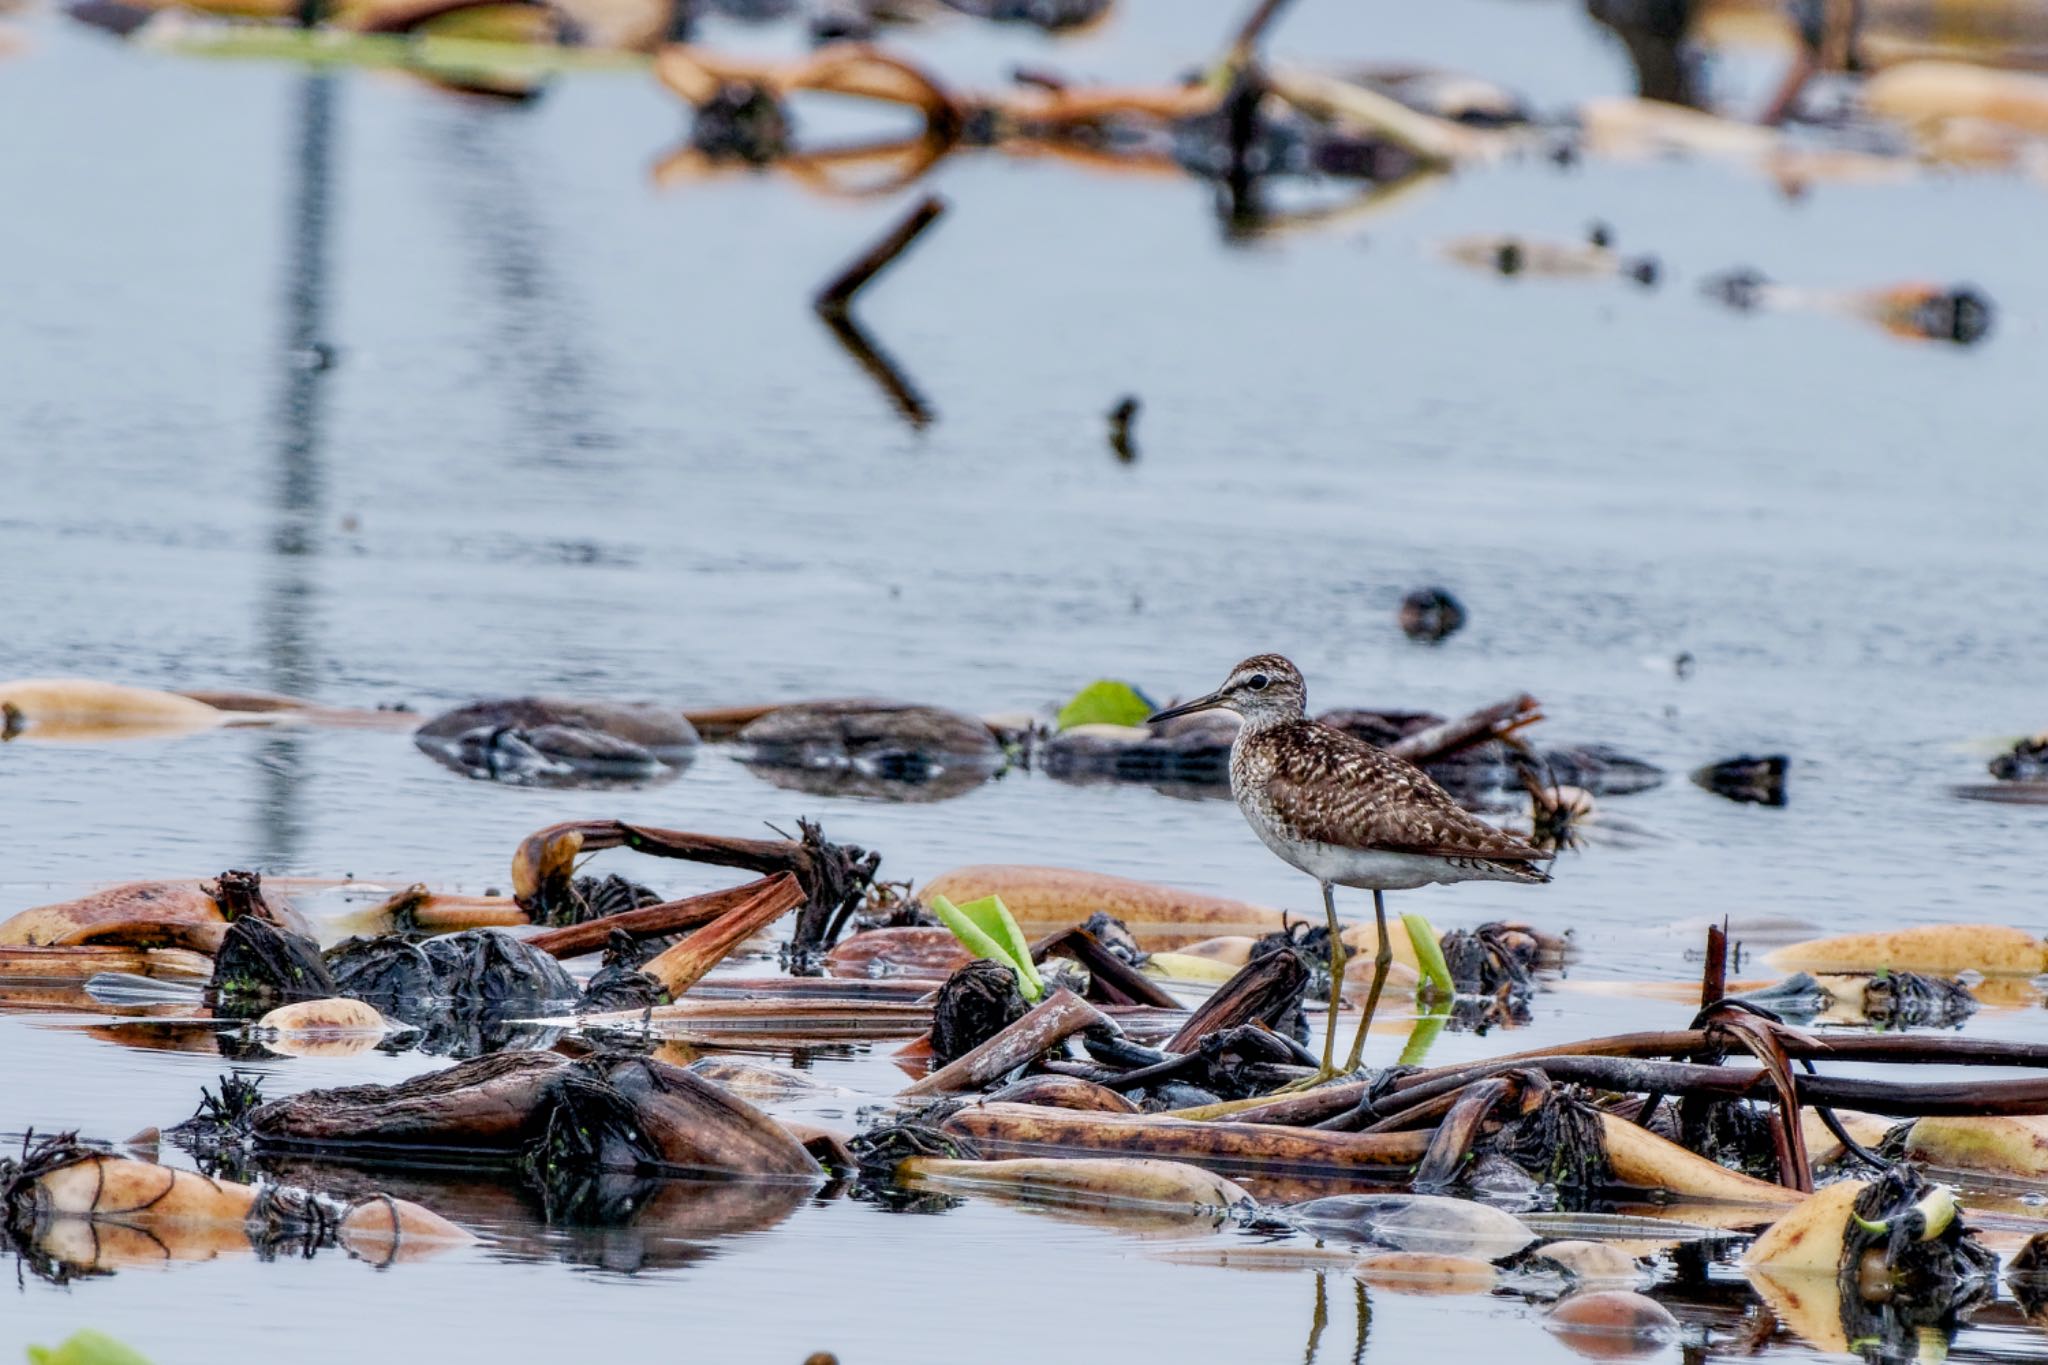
(1349, 816)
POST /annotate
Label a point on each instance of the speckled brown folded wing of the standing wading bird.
(1334, 789)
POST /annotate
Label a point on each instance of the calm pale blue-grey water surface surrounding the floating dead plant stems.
(585, 437)
